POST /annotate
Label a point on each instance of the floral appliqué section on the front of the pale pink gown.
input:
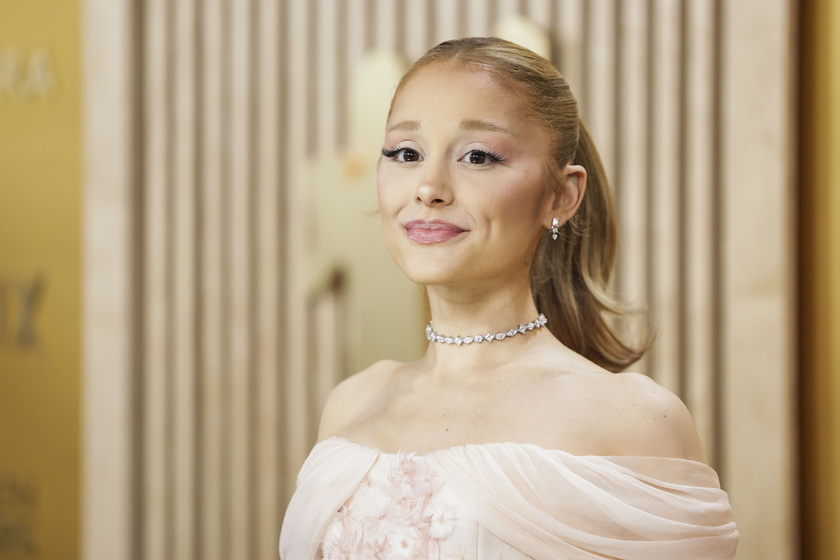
(396, 513)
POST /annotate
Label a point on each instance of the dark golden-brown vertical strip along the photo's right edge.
(820, 278)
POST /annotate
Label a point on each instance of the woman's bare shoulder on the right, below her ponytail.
(646, 419)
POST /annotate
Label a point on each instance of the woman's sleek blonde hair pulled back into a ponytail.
(570, 278)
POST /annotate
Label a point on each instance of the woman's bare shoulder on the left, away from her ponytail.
(351, 398)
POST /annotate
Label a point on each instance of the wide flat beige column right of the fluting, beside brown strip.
(757, 285)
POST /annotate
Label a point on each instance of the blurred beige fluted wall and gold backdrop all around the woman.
(190, 259)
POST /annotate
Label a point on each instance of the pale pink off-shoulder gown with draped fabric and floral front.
(503, 501)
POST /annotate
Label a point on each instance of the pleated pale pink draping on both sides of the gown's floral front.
(531, 502)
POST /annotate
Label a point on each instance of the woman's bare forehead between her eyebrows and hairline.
(463, 90)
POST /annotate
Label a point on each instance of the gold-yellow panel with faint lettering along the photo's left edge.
(40, 240)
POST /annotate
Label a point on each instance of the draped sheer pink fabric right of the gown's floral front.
(550, 505)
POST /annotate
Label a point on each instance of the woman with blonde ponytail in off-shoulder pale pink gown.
(511, 437)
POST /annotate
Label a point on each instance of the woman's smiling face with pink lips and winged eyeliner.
(462, 184)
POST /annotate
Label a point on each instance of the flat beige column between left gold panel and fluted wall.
(110, 282)
